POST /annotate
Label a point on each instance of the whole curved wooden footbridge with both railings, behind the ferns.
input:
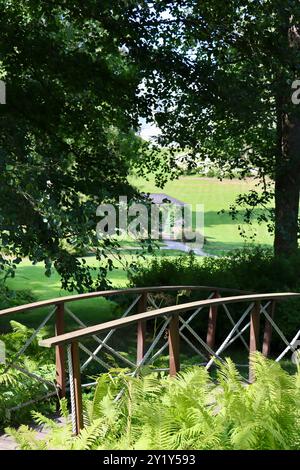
(173, 327)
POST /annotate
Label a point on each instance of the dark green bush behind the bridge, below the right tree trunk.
(254, 270)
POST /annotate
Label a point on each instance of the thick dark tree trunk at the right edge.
(287, 167)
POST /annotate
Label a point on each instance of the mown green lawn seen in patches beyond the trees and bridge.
(221, 233)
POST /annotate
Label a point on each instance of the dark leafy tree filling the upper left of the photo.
(66, 138)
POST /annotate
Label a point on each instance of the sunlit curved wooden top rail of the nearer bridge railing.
(172, 310)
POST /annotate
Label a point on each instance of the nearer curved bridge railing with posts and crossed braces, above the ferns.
(176, 319)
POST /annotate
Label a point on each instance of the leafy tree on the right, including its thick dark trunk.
(219, 76)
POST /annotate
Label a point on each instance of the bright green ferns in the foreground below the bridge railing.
(189, 412)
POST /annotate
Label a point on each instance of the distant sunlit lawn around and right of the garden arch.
(221, 231)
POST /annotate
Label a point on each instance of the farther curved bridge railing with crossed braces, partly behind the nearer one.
(140, 300)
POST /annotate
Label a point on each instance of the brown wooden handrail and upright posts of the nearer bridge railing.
(172, 313)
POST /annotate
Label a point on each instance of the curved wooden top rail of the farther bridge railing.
(108, 293)
